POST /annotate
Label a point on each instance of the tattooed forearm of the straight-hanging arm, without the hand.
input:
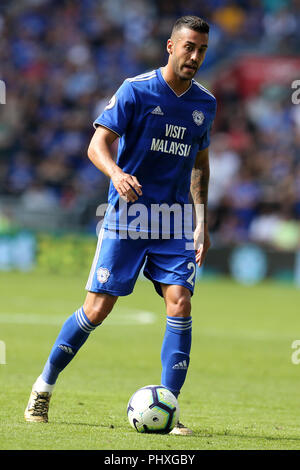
(200, 181)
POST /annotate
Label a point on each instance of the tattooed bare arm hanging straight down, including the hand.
(199, 193)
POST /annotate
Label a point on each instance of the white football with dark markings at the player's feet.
(153, 409)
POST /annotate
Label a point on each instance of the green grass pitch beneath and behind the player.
(242, 389)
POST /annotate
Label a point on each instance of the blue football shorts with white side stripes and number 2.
(118, 262)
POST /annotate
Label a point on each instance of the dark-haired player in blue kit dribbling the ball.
(163, 119)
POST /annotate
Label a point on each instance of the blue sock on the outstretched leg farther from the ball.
(72, 336)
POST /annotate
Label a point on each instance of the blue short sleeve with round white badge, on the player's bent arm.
(119, 110)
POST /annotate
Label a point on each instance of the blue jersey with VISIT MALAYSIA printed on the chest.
(160, 135)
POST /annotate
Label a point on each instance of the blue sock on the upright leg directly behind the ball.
(175, 353)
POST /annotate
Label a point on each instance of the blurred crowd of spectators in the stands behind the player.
(62, 60)
